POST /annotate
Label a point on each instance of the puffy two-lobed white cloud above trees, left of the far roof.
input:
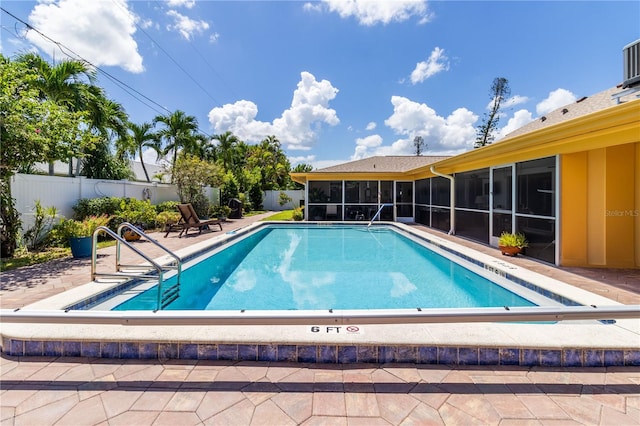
(296, 127)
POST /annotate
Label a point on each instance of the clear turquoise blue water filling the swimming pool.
(324, 267)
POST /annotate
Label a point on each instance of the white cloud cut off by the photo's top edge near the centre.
(372, 12)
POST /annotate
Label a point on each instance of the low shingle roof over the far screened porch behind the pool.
(383, 164)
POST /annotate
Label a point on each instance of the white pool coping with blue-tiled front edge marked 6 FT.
(561, 344)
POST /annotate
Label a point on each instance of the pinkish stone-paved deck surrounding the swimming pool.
(77, 391)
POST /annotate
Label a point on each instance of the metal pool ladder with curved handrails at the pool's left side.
(140, 271)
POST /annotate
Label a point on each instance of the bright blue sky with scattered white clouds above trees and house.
(335, 80)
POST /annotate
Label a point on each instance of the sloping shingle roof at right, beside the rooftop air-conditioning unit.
(582, 106)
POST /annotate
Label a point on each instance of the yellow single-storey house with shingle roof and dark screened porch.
(594, 191)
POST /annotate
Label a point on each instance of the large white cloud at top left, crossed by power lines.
(100, 32)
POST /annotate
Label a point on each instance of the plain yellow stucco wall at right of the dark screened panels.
(600, 212)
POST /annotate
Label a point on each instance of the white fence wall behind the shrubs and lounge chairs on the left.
(64, 193)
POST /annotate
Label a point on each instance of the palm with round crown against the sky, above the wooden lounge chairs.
(179, 131)
